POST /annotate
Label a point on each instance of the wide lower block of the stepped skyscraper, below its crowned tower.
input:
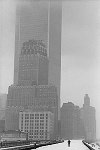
(36, 98)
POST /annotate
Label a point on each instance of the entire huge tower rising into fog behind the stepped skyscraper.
(40, 20)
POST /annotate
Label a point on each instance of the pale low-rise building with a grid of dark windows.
(38, 125)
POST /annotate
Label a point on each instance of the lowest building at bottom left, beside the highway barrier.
(12, 135)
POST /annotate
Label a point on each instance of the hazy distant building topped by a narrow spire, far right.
(88, 116)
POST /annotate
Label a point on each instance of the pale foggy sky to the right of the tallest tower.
(81, 53)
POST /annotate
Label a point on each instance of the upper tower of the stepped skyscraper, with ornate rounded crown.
(33, 64)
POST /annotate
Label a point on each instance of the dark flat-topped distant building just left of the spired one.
(71, 123)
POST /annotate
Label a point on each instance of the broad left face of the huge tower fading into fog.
(31, 23)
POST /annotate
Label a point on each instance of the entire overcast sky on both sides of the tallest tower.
(80, 50)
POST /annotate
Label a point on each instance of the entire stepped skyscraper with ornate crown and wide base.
(32, 90)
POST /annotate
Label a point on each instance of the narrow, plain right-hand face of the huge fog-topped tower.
(55, 22)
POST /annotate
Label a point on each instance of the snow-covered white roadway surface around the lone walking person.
(75, 145)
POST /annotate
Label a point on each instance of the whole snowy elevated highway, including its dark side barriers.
(74, 145)
